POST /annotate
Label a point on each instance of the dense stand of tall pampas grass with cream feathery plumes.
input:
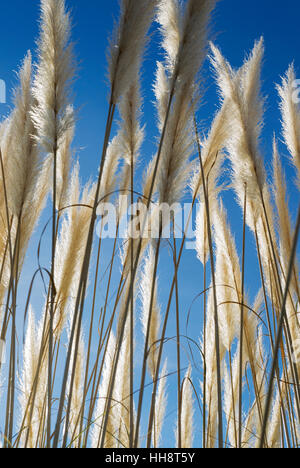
(96, 366)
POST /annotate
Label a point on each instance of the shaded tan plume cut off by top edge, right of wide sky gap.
(128, 43)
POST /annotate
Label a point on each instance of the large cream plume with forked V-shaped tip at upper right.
(241, 90)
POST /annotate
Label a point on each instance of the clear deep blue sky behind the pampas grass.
(237, 24)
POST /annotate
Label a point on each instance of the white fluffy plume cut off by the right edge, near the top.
(291, 116)
